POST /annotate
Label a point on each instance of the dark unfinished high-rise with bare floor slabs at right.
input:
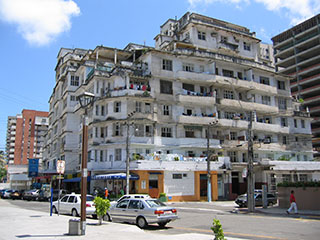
(297, 54)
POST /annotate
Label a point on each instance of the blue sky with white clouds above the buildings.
(33, 31)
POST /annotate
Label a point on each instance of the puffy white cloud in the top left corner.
(39, 21)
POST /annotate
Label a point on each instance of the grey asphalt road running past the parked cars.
(198, 217)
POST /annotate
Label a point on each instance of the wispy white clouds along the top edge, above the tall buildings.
(296, 10)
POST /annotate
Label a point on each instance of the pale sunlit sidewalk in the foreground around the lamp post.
(18, 223)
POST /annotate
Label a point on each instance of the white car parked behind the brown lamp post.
(71, 204)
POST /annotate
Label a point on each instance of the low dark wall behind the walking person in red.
(306, 198)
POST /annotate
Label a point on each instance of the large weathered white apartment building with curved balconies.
(168, 104)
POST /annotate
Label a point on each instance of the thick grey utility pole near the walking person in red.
(250, 174)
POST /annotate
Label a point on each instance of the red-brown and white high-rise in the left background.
(25, 139)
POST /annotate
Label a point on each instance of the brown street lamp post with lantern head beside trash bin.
(85, 100)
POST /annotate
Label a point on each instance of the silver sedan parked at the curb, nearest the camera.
(141, 211)
